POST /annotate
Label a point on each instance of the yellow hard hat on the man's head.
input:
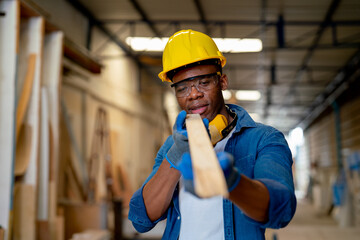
(186, 47)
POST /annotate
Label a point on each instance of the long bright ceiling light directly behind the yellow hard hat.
(225, 45)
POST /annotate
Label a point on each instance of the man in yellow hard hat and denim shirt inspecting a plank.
(257, 163)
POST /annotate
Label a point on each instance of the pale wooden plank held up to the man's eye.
(208, 177)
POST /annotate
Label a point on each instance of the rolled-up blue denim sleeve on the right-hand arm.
(273, 169)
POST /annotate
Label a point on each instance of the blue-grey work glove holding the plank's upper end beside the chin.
(181, 143)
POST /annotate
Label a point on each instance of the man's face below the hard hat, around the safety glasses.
(207, 103)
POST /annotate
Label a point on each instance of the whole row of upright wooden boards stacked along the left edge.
(30, 62)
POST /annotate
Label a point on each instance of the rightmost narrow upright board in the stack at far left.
(50, 80)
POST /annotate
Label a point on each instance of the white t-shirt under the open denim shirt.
(202, 218)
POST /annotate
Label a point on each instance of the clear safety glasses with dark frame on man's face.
(202, 83)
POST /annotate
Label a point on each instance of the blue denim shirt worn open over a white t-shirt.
(260, 152)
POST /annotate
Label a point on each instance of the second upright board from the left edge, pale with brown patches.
(30, 42)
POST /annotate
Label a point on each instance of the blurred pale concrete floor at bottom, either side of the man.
(307, 224)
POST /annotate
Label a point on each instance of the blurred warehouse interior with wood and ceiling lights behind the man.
(83, 112)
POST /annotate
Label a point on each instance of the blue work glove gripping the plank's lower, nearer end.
(226, 162)
